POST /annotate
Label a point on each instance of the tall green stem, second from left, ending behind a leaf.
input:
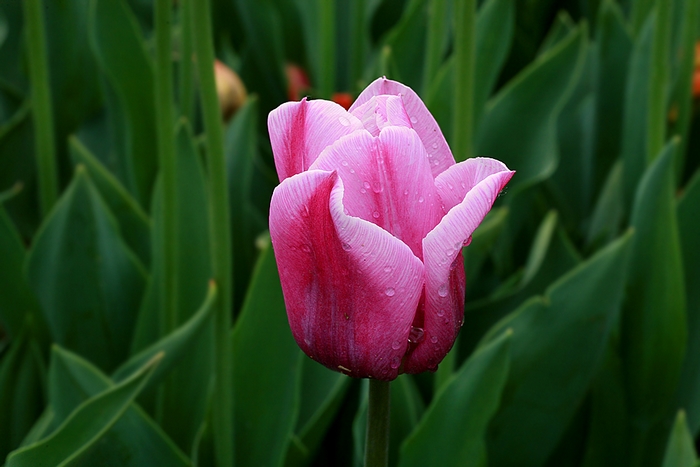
(166, 159)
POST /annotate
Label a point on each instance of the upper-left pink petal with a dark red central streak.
(299, 131)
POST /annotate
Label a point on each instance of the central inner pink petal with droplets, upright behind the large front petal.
(387, 182)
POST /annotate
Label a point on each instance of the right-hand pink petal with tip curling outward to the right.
(444, 273)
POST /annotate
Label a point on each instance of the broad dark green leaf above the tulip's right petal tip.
(526, 110)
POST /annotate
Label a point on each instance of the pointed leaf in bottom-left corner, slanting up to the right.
(85, 426)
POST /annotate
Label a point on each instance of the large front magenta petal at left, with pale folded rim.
(351, 289)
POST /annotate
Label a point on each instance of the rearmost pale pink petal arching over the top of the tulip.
(420, 117)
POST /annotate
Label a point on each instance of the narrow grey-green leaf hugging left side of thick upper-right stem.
(634, 125)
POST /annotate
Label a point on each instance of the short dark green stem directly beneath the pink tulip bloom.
(377, 442)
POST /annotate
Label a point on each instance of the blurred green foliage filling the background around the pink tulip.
(581, 343)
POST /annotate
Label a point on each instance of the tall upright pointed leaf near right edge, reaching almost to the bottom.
(653, 327)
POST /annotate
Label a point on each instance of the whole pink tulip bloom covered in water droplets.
(368, 225)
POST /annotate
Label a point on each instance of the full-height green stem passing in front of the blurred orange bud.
(219, 228)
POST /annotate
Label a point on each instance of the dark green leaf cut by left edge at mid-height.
(16, 299)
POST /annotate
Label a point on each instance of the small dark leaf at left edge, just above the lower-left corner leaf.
(21, 391)
